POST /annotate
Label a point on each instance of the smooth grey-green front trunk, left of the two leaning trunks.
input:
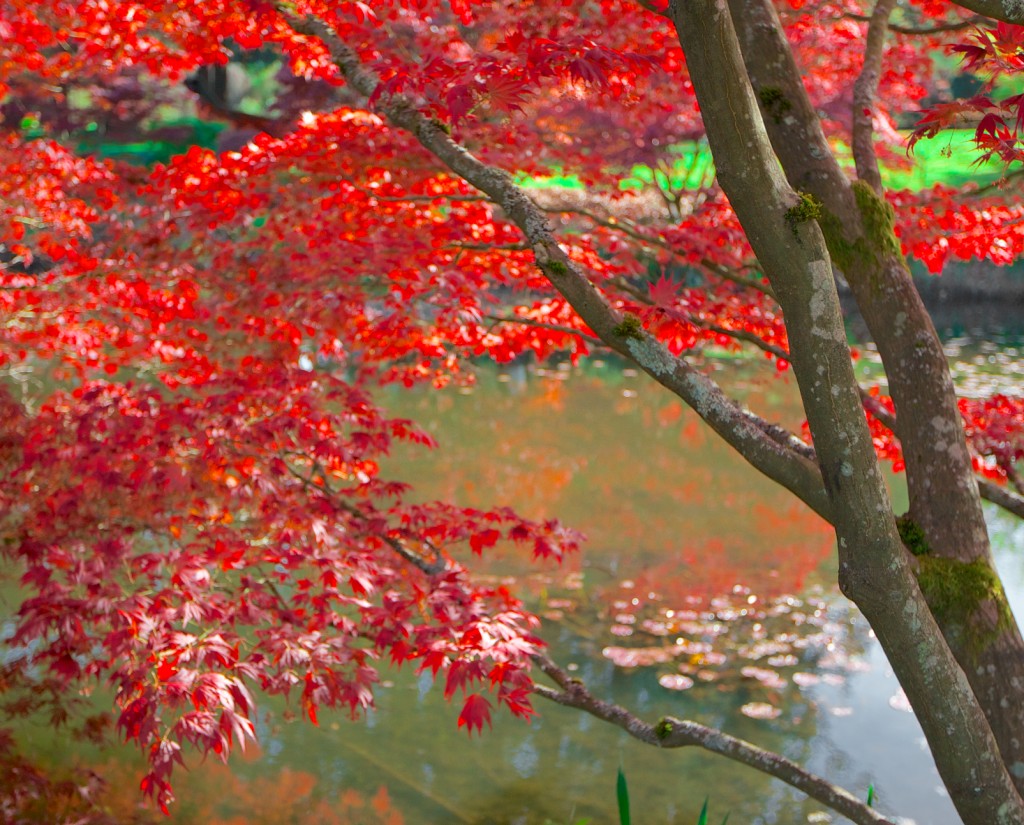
(875, 570)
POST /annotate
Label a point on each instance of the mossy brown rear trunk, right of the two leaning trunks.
(946, 517)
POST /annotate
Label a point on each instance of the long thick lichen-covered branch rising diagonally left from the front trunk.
(778, 461)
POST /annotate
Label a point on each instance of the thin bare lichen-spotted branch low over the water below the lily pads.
(672, 733)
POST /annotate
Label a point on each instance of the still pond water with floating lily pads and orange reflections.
(703, 592)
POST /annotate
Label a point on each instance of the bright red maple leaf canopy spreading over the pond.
(189, 441)
